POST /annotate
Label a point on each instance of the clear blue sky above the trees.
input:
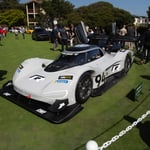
(135, 7)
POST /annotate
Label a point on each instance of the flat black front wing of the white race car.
(39, 108)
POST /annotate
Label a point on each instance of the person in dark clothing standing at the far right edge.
(146, 46)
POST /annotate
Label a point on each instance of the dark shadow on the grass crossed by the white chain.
(144, 129)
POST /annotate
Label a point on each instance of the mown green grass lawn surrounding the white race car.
(101, 118)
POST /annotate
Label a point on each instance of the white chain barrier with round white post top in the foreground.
(92, 145)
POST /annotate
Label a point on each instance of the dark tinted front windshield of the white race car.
(66, 61)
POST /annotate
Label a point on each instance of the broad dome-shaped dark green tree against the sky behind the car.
(101, 14)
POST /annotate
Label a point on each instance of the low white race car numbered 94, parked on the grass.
(62, 85)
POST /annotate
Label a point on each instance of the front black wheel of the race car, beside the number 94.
(84, 88)
